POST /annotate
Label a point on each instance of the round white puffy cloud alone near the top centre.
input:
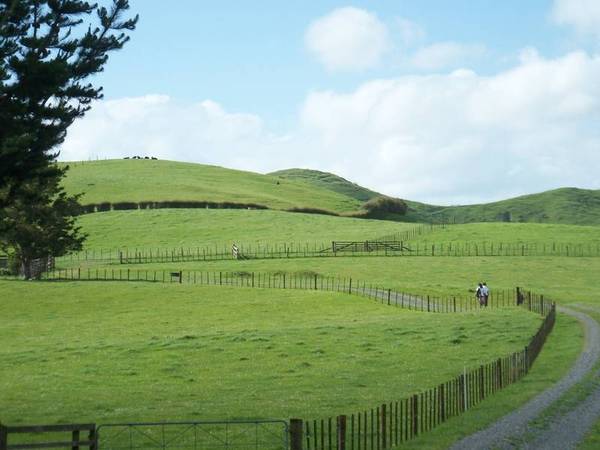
(348, 39)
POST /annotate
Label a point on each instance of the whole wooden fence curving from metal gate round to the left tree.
(394, 422)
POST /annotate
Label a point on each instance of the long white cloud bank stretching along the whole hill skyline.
(457, 137)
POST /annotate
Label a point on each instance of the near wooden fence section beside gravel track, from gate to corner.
(396, 422)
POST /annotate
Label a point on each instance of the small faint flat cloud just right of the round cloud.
(446, 54)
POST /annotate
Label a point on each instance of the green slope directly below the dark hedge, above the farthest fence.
(174, 228)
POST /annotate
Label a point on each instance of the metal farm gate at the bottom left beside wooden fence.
(207, 435)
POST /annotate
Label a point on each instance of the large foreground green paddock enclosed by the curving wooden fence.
(155, 352)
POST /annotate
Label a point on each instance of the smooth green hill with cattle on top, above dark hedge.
(148, 180)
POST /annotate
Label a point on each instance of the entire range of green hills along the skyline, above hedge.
(150, 180)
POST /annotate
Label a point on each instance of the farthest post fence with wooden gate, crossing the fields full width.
(375, 247)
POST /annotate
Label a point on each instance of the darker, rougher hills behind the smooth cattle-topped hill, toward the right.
(565, 205)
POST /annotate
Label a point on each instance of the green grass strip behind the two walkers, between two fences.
(566, 280)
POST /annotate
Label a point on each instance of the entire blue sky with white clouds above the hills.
(440, 101)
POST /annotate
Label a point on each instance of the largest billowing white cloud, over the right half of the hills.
(462, 137)
